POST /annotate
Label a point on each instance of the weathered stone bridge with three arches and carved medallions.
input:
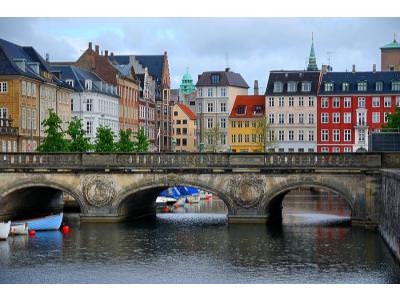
(111, 187)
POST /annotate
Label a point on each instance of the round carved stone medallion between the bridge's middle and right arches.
(247, 190)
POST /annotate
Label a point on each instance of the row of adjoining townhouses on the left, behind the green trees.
(100, 88)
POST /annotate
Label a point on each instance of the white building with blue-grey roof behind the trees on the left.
(94, 101)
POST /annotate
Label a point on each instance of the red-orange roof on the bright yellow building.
(249, 102)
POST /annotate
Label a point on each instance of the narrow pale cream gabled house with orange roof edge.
(183, 128)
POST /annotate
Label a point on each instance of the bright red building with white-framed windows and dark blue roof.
(353, 104)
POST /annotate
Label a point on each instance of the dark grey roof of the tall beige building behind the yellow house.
(227, 78)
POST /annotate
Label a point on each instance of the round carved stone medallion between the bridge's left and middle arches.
(98, 190)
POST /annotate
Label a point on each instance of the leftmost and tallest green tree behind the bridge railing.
(54, 140)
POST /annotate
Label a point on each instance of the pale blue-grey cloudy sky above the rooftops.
(250, 46)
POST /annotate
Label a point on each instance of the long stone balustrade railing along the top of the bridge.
(199, 161)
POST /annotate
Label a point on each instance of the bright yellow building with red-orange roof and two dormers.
(246, 126)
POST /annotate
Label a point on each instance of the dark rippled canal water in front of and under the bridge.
(196, 245)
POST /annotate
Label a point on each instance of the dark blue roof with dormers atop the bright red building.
(386, 77)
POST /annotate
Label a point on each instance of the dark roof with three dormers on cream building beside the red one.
(284, 76)
